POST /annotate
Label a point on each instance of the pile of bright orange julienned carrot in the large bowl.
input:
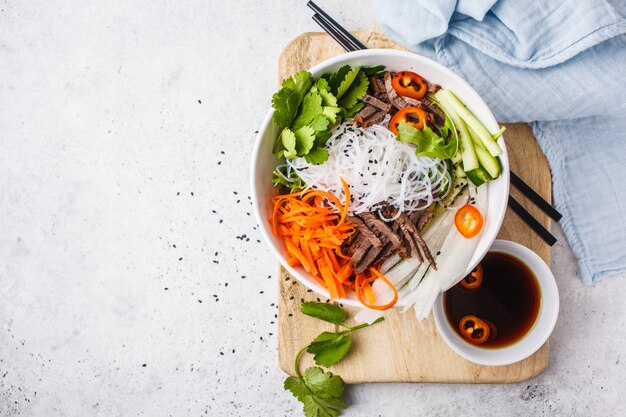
(313, 233)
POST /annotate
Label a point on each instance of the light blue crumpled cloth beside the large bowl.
(559, 65)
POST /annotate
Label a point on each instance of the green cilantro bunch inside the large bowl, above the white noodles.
(307, 110)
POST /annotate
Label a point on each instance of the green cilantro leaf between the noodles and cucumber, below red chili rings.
(428, 142)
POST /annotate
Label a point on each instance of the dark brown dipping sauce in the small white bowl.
(509, 297)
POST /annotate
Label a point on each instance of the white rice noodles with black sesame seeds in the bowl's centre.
(380, 171)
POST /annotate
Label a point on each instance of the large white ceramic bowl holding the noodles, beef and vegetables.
(264, 162)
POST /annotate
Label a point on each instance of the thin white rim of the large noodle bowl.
(344, 59)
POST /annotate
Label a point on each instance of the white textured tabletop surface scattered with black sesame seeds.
(132, 279)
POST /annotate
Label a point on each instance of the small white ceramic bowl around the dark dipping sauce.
(537, 335)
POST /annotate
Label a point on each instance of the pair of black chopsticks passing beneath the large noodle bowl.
(350, 43)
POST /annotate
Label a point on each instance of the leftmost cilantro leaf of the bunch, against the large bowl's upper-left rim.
(287, 100)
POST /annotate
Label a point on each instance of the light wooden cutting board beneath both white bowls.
(401, 349)
